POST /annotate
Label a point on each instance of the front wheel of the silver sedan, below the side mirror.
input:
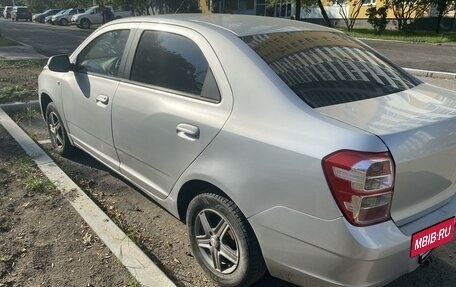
(57, 132)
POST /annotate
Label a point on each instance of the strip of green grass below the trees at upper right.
(413, 36)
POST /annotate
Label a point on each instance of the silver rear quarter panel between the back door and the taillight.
(268, 161)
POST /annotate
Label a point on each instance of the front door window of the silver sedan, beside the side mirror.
(104, 54)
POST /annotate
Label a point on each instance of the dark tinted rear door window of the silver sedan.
(173, 62)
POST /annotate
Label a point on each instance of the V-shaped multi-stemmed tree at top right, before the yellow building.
(407, 11)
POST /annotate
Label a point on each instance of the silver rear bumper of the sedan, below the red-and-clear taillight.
(309, 251)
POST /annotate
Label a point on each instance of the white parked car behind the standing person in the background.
(94, 15)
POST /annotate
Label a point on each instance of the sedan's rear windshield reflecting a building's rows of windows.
(328, 68)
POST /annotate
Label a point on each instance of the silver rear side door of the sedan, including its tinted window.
(175, 101)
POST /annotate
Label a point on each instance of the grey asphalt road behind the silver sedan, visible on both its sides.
(51, 40)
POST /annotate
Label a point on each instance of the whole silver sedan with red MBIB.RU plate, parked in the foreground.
(284, 146)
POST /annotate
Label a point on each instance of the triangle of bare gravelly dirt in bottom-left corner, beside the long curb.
(43, 241)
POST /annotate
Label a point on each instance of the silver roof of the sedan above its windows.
(240, 25)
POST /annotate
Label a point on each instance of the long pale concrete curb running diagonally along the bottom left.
(138, 264)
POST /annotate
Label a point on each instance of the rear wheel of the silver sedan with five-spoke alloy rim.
(223, 242)
